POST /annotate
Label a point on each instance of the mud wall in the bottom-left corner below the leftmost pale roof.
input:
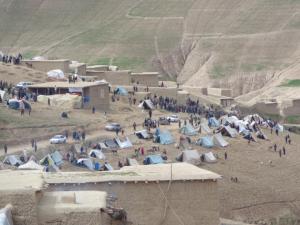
(24, 206)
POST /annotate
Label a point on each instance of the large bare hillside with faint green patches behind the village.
(196, 40)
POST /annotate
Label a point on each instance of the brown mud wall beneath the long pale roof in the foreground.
(194, 202)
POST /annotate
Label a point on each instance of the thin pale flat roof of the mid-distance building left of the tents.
(66, 84)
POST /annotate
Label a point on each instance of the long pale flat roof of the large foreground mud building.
(159, 172)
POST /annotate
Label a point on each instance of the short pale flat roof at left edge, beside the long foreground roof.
(20, 180)
